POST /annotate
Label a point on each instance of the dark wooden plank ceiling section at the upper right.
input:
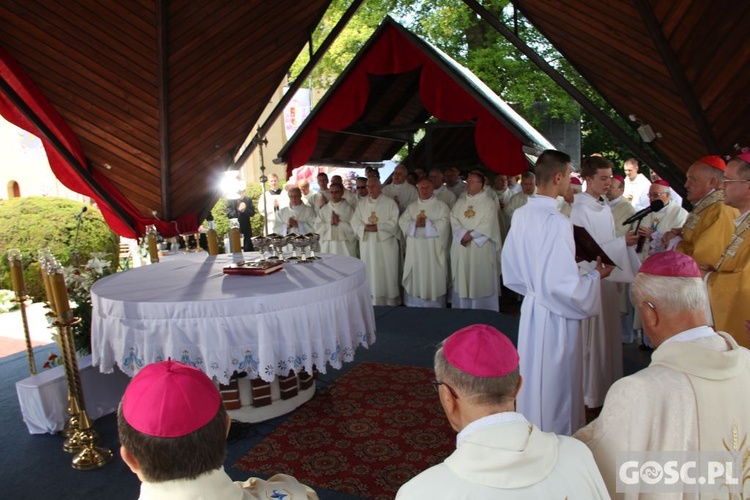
(679, 66)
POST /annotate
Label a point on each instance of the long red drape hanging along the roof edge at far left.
(22, 85)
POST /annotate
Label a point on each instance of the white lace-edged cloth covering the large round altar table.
(188, 310)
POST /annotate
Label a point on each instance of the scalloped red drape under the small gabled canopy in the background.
(445, 99)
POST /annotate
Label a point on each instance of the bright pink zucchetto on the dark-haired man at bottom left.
(170, 399)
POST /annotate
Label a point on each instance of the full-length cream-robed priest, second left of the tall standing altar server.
(426, 228)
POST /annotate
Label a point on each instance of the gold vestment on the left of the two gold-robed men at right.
(707, 229)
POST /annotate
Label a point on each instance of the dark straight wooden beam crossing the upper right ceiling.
(684, 89)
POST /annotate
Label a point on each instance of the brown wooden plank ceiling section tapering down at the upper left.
(161, 94)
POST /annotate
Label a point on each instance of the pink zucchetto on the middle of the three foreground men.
(481, 351)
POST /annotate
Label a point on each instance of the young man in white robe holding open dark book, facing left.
(603, 333)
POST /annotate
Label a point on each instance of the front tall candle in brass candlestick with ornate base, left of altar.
(83, 441)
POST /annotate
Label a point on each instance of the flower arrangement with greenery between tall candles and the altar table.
(79, 282)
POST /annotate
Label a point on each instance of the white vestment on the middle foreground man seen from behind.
(503, 456)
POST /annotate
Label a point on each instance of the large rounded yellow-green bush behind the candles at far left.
(36, 222)
